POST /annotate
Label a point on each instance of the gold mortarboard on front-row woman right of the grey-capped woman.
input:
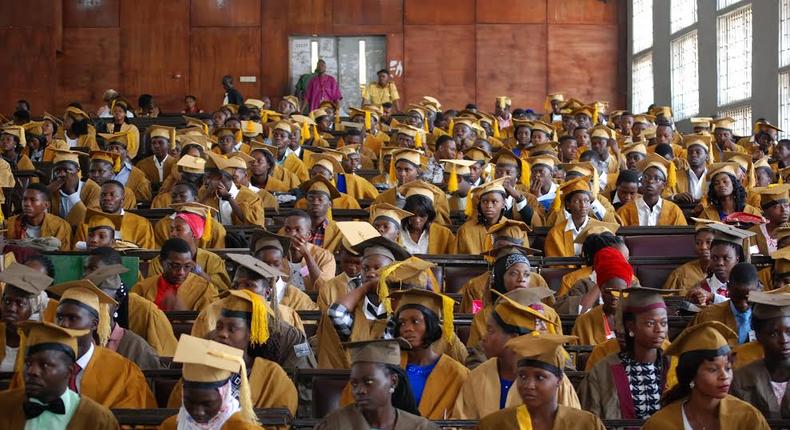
(536, 349)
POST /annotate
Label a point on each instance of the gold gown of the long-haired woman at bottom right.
(734, 414)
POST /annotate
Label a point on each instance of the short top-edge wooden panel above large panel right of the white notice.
(439, 11)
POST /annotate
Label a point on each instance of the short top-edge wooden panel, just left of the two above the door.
(225, 13)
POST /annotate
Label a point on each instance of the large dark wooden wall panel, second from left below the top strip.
(85, 78)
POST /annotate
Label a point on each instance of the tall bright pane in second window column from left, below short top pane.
(685, 79)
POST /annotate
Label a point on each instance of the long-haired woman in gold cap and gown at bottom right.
(700, 399)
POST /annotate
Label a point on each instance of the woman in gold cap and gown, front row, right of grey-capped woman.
(541, 360)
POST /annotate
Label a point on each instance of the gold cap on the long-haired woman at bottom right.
(710, 336)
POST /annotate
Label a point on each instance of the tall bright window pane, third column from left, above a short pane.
(735, 56)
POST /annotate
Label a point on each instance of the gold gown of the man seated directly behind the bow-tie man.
(112, 381)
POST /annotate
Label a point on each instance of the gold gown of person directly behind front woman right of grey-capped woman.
(480, 394)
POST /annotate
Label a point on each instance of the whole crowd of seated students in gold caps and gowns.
(246, 241)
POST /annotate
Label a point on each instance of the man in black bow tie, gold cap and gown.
(46, 401)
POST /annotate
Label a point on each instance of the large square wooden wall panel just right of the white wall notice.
(439, 61)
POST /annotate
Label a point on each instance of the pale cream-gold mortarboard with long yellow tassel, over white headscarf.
(206, 361)
